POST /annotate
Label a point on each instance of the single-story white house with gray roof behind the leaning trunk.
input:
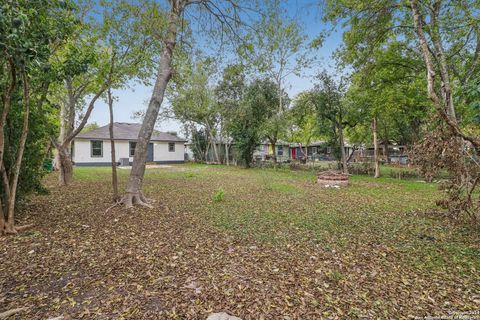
(93, 148)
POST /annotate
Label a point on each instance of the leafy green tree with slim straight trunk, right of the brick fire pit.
(385, 91)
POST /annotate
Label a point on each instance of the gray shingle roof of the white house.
(126, 131)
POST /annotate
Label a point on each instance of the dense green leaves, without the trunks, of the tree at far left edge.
(30, 32)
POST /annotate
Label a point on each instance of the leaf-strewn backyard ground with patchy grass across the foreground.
(257, 244)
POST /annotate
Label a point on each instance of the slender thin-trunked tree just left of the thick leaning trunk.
(126, 33)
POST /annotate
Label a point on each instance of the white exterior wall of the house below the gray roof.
(82, 152)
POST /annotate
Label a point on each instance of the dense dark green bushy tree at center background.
(258, 104)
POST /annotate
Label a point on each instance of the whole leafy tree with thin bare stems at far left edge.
(29, 33)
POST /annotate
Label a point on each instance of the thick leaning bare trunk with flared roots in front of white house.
(133, 193)
